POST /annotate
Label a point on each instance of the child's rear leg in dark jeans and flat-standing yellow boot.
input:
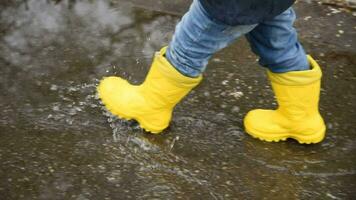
(295, 81)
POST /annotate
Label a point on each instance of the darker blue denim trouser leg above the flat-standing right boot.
(276, 42)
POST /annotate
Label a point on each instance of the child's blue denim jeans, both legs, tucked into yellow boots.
(197, 38)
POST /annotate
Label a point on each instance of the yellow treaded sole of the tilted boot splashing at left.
(143, 125)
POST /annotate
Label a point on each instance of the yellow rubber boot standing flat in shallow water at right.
(297, 116)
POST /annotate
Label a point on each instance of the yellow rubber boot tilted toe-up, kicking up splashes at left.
(151, 103)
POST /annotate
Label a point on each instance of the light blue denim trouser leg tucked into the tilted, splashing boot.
(197, 38)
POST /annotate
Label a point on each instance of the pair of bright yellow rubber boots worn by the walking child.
(151, 104)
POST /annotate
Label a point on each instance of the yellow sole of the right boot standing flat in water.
(302, 139)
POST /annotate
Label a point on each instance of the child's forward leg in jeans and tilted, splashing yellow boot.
(173, 73)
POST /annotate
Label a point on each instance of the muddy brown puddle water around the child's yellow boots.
(56, 142)
